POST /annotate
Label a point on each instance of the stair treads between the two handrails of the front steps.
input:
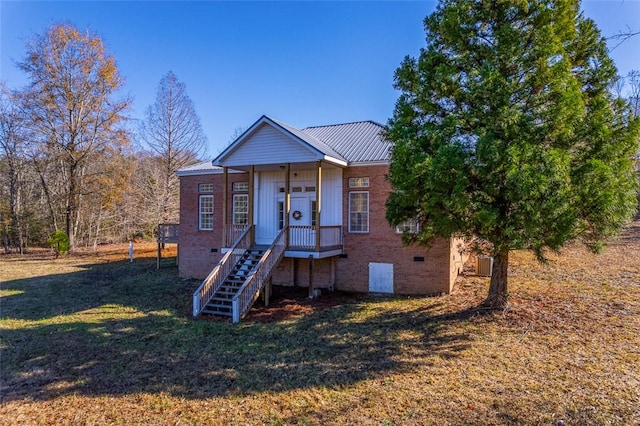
(220, 303)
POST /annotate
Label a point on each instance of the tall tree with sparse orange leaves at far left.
(75, 117)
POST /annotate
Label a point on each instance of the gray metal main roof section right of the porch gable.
(357, 142)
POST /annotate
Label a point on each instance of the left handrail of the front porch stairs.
(216, 277)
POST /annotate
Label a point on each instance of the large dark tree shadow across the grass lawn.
(123, 328)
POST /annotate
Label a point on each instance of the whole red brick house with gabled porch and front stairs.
(300, 207)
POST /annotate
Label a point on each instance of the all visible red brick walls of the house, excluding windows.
(436, 274)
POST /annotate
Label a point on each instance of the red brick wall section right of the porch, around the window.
(382, 244)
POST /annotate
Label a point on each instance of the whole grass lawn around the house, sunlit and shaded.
(94, 340)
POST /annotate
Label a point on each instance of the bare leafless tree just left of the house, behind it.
(171, 130)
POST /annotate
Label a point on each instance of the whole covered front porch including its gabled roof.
(293, 188)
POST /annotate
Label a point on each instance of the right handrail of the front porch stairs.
(249, 291)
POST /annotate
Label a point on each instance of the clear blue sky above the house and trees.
(305, 63)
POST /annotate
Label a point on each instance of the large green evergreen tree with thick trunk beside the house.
(506, 132)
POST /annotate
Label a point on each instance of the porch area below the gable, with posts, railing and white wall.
(304, 200)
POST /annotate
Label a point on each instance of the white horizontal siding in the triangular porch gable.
(269, 146)
